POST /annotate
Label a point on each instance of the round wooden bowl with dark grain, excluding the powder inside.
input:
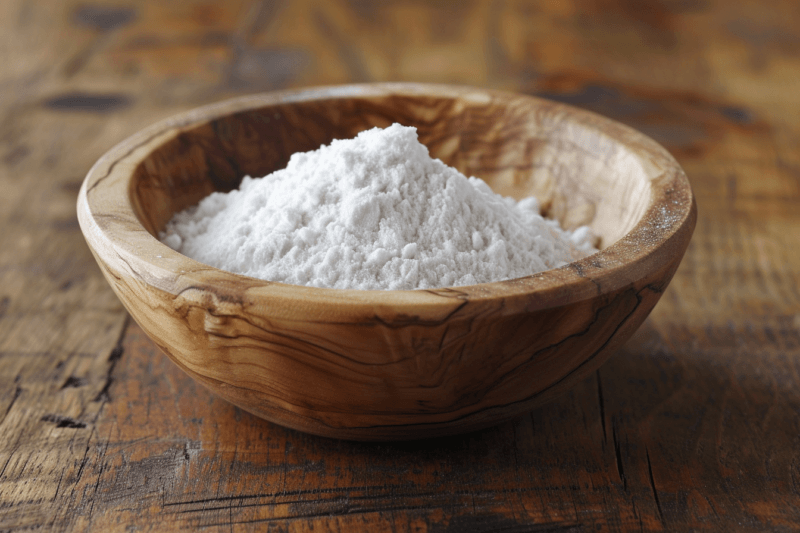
(380, 365)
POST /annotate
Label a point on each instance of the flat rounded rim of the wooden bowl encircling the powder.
(121, 237)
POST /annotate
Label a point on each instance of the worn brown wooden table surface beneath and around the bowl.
(693, 425)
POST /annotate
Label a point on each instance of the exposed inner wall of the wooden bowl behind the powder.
(520, 146)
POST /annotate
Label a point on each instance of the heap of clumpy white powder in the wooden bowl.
(374, 212)
